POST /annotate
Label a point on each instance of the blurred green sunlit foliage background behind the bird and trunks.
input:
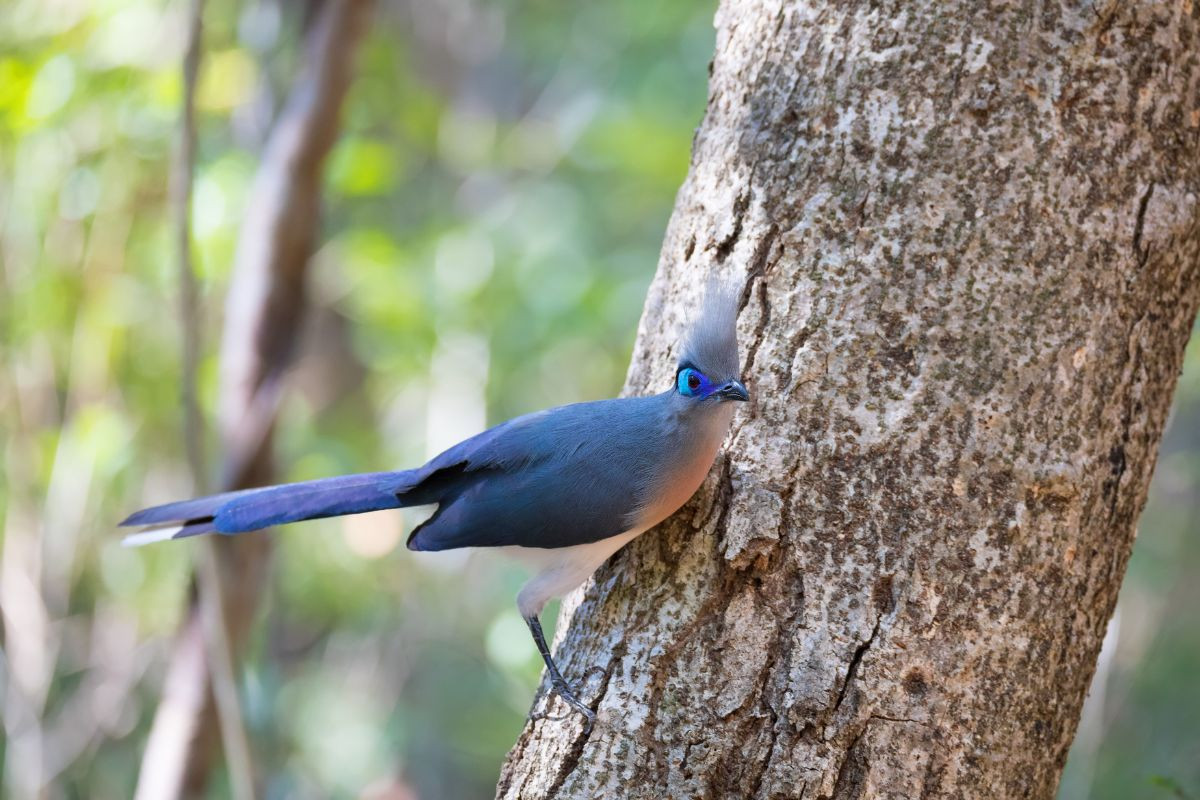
(493, 215)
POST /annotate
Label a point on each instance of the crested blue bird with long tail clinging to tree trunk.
(562, 490)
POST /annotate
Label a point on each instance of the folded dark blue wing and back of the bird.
(566, 477)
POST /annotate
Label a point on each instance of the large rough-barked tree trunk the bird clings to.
(971, 242)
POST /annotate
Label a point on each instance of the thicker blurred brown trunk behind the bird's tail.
(263, 316)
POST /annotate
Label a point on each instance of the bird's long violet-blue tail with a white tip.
(237, 513)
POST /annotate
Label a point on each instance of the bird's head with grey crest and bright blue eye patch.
(709, 365)
